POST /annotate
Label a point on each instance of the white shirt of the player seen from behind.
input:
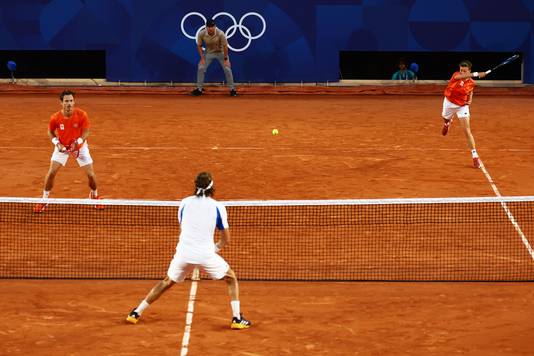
(198, 217)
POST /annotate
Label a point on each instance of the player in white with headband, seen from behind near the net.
(199, 215)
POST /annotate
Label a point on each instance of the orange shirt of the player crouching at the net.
(68, 129)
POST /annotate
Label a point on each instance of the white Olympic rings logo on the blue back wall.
(230, 31)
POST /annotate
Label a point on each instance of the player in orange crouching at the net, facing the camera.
(68, 129)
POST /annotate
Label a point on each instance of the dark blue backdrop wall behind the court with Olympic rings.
(276, 40)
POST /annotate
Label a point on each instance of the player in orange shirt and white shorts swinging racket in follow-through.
(458, 97)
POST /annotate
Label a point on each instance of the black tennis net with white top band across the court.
(460, 239)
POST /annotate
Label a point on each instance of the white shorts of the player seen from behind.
(214, 265)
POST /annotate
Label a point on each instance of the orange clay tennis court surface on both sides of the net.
(150, 145)
